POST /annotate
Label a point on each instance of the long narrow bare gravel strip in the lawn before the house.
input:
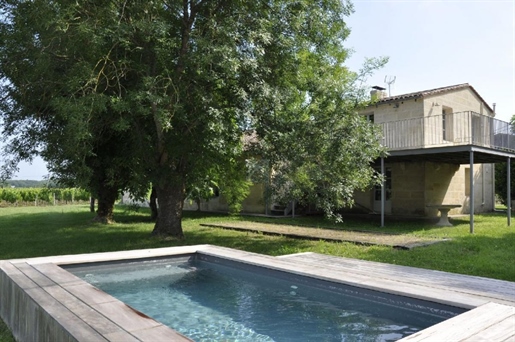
(311, 233)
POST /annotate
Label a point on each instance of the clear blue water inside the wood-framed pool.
(217, 300)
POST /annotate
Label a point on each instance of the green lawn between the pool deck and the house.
(43, 231)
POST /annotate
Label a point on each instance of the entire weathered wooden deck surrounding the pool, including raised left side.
(37, 296)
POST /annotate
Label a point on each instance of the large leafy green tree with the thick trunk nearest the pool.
(185, 79)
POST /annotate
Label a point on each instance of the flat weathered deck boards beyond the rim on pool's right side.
(492, 321)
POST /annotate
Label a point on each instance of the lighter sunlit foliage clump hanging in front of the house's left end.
(325, 150)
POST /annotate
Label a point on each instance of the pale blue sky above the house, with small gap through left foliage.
(430, 44)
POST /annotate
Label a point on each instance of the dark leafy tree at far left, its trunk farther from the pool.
(48, 108)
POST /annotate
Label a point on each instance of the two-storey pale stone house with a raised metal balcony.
(443, 144)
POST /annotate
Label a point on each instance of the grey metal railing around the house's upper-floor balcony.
(454, 129)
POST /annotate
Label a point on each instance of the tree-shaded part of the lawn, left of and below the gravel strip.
(31, 233)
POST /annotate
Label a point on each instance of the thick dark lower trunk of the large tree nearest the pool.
(169, 218)
